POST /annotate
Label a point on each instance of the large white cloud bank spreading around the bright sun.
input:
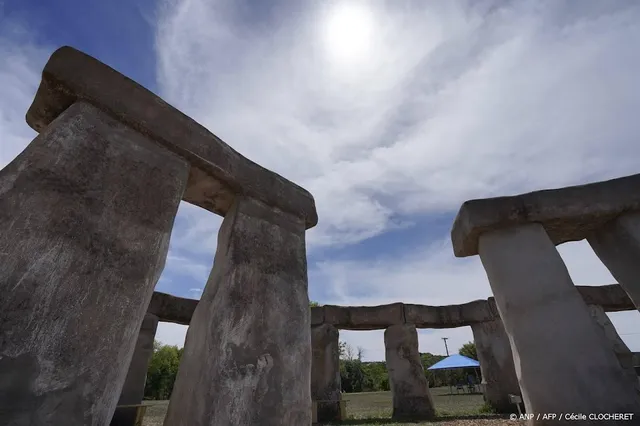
(457, 102)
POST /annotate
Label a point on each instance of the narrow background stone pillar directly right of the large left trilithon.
(325, 372)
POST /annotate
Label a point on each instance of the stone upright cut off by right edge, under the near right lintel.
(617, 244)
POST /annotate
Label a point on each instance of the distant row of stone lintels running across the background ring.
(611, 297)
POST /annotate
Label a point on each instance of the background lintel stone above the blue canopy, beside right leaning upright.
(448, 316)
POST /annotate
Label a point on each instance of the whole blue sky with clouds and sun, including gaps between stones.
(391, 113)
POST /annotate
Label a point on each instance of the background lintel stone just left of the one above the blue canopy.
(364, 317)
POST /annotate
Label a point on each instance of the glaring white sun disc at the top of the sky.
(349, 31)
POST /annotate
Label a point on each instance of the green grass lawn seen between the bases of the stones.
(374, 408)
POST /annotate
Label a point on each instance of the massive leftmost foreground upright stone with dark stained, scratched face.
(86, 212)
